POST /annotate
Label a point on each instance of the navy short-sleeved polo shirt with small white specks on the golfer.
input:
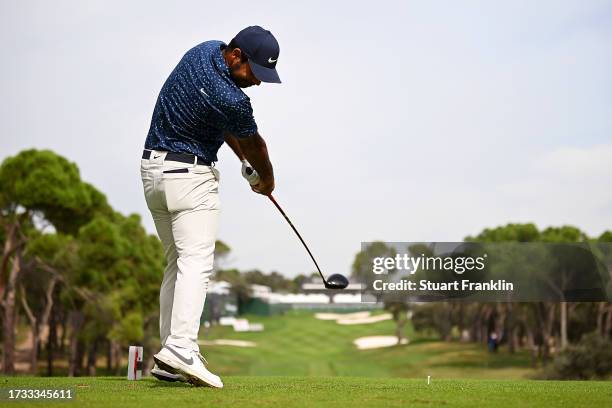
(197, 103)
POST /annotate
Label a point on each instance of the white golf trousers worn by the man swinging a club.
(185, 208)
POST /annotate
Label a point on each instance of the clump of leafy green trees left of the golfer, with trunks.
(94, 274)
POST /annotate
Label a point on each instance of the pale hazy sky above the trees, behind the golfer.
(396, 121)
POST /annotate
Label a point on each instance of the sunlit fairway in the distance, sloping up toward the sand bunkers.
(298, 344)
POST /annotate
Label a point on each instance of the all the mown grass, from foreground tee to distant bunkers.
(300, 361)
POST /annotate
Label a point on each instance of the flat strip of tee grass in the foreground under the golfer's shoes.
(322, 391)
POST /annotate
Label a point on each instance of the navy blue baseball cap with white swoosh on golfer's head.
(262, 49)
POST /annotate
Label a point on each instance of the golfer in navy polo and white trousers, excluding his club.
(200, 106)
